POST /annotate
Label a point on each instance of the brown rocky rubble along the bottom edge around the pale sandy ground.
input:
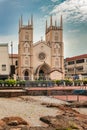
(68, 119)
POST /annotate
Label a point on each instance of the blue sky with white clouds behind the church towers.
(74, 14)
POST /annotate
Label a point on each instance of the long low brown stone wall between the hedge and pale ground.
(20, 92)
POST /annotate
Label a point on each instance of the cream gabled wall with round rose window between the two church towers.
(41, 53)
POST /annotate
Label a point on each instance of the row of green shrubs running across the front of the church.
(37, 83)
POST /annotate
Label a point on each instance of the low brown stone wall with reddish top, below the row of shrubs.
(14, 92)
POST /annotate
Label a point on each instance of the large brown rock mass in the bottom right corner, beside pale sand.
(68, 119)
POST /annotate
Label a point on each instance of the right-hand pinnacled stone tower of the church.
(54, 38)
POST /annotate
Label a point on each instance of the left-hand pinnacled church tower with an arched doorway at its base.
(25, 50)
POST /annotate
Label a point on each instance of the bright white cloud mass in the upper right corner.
(72, 10)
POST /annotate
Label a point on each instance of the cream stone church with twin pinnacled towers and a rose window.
(43, 60)
